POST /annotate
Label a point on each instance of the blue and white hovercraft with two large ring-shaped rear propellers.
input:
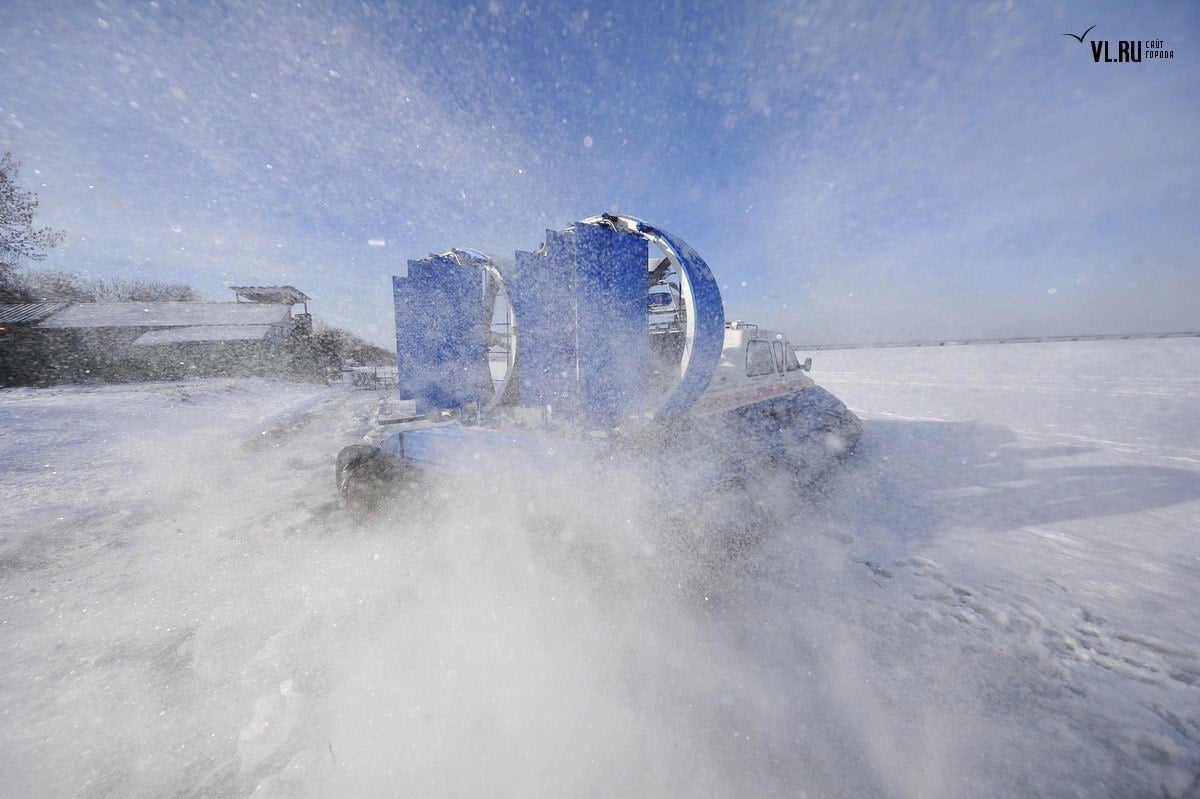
(610, 341)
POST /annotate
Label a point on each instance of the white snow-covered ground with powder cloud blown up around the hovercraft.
(998, 596)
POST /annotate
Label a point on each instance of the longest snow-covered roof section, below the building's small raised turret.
(169, 315)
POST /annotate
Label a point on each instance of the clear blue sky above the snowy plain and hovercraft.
(850, 172)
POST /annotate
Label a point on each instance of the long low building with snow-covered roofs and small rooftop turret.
(260, 334)
